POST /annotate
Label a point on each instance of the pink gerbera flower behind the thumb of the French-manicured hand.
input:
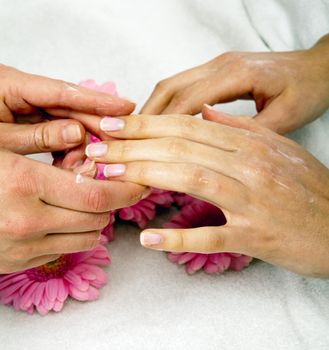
(197, 214)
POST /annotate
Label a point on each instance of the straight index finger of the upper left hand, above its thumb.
(52, 93)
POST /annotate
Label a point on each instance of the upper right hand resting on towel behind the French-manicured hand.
(290, 89)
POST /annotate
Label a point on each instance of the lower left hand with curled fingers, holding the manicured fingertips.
(44, 213)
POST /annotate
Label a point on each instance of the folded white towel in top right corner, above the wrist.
(289, 24)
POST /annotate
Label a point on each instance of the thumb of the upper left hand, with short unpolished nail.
(56, 135)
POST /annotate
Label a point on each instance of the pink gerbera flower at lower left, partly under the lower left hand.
(46, 288)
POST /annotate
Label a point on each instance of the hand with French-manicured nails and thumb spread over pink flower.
(274, 194)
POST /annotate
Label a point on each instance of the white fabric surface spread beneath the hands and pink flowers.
(150, 303)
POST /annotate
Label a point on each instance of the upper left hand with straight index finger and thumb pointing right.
(32, 100)
